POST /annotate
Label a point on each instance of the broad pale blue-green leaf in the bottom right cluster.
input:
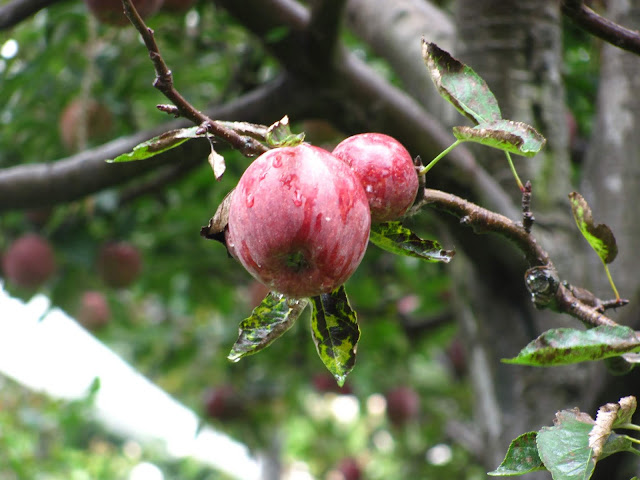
(564, 448)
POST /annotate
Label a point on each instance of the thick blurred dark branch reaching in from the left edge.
(69, 179)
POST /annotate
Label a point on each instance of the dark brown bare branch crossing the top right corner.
(601, 27)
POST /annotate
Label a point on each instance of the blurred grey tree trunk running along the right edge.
(610, 184)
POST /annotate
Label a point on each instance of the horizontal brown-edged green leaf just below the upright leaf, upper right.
(507, 135)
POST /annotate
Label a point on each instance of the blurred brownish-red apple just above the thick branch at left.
(82, 121)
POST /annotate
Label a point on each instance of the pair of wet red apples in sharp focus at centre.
(300, 216)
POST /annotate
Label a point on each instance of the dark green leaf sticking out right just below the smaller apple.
(395, 238)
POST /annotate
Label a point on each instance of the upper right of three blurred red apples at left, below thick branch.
(119, 264)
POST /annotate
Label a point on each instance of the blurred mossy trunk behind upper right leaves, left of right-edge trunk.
(516, 47)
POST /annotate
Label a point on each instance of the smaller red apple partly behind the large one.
(386, 171)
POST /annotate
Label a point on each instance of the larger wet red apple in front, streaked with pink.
(299, 221)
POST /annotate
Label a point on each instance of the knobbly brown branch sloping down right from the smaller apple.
(542, 279)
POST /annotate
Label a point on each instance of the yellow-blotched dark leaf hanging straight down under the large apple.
(335, 332)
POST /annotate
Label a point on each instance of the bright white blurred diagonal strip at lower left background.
(47, 351)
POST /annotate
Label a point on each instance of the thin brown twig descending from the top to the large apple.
(164, 83)
